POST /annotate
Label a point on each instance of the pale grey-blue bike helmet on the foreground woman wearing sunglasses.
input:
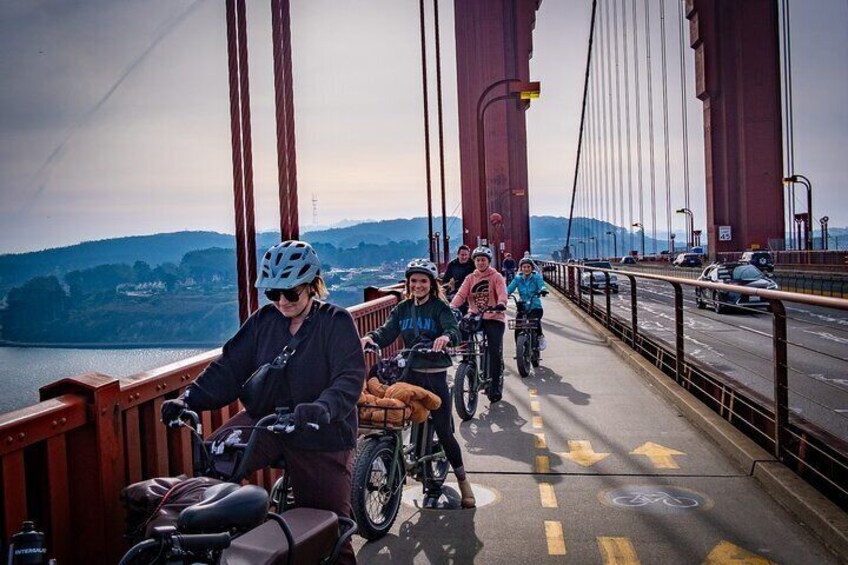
(287, 265)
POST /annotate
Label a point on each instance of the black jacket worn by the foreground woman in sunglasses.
(328, 367)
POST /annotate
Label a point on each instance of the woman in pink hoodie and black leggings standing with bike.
(486, 288)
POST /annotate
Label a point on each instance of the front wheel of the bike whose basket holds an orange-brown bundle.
(374, 501)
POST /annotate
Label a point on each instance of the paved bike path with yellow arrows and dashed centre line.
(588, 464)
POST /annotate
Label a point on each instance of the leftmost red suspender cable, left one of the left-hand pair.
(238, 188)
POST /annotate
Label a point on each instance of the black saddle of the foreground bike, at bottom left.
(223, 507)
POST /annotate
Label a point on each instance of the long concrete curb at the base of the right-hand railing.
(826, 520)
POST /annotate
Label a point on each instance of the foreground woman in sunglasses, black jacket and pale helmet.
(322, 381)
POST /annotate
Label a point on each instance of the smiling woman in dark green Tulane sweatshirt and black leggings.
(426, 316)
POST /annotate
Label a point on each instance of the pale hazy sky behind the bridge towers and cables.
(114, 114)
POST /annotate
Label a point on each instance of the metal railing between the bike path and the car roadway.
(817, 453)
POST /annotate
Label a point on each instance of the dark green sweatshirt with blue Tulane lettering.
(432, 319)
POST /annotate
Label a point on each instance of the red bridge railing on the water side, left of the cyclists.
(64, 461)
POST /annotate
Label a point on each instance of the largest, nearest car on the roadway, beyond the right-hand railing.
(733, 275)
